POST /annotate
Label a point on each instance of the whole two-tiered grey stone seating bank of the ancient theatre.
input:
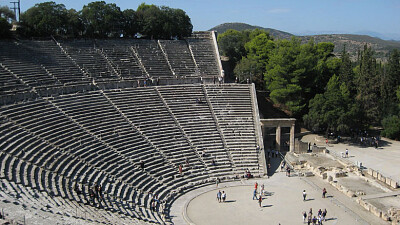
(144, 121)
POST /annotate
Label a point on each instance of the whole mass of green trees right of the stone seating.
(324, 91)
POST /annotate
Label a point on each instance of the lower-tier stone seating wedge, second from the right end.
(199, 125)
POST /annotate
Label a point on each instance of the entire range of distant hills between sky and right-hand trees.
(353, 42)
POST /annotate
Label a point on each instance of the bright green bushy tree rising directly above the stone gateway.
(296, 72)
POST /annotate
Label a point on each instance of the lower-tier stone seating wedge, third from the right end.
(144, 108)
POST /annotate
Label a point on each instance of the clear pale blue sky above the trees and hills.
(374, 17)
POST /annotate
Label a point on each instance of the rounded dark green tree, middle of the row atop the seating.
(102, 20)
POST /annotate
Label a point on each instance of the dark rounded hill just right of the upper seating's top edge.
(243, 26)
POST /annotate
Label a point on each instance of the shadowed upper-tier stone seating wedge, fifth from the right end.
(86, 55)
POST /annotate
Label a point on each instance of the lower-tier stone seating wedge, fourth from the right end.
(98, 116)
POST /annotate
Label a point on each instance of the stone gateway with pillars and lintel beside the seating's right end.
(278, 123)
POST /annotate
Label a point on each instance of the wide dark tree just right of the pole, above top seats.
(45, 19)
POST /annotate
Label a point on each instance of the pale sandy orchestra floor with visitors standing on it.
(283, 205)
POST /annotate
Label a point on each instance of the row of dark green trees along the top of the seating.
(101, 19)
